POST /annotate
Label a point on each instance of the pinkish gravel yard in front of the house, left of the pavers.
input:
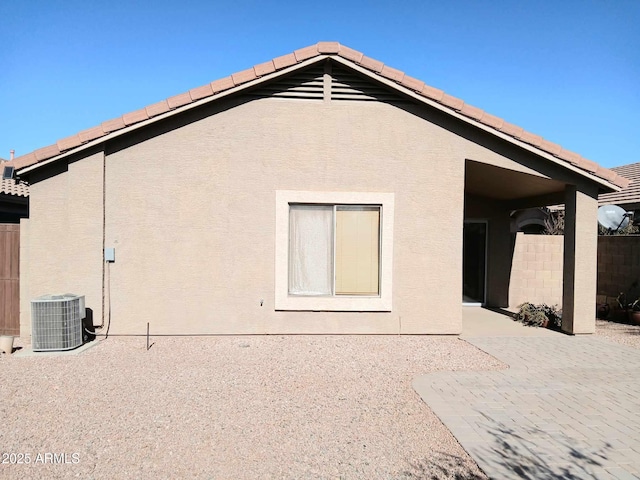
(233, 408)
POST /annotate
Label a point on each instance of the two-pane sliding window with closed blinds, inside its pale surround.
(334, 249)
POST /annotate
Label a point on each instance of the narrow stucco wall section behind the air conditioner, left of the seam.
(63, 244)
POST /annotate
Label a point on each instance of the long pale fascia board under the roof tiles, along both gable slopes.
(347, 63)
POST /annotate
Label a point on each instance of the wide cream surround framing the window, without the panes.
(337, 303)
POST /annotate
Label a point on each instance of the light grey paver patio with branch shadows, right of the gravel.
(567, 407)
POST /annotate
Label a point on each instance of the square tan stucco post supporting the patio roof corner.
(580, 259)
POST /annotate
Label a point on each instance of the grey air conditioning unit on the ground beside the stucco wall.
(56, 322)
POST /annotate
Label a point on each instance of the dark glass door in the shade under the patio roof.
(474, 262)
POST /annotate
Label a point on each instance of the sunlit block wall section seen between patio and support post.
(536, 271)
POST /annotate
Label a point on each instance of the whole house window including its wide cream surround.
(333, 251)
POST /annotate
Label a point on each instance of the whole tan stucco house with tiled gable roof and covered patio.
(321, 192)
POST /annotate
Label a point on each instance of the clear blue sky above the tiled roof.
(567, 70)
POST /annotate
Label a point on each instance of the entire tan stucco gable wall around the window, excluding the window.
(191, 214)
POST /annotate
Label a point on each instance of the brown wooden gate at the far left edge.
(9, 279)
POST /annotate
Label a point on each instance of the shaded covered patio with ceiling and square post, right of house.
(492, 191)
